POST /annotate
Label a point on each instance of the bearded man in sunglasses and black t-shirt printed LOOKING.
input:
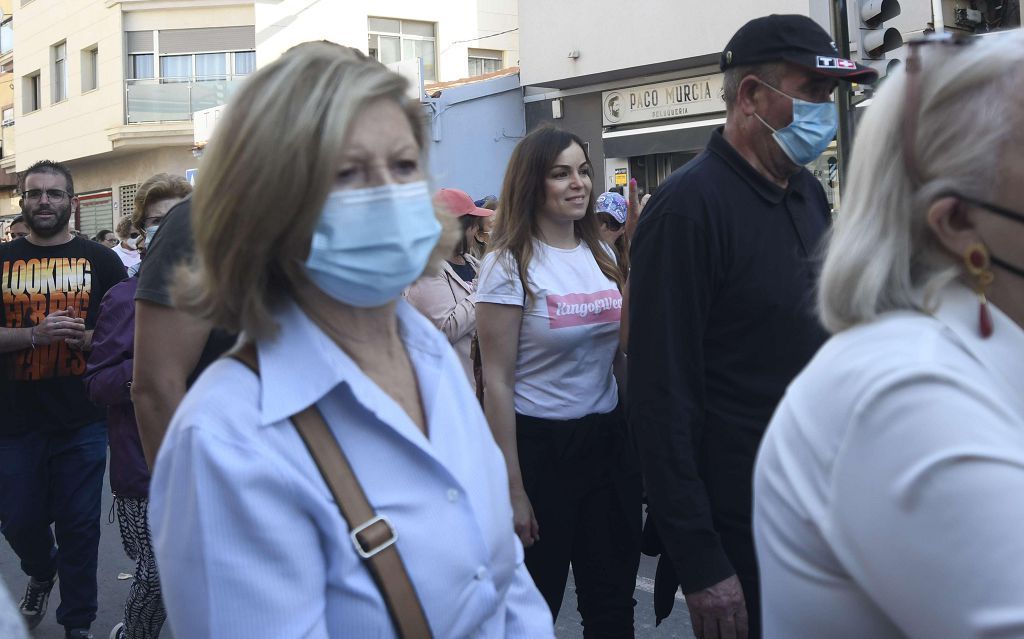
(53, 439)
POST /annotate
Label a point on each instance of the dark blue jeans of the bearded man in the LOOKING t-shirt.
(57, 479)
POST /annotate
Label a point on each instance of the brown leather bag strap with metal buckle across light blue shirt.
(372, 535)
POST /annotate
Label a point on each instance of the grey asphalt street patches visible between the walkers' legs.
(113, 591)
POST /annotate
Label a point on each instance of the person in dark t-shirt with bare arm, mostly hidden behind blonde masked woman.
(172, 347)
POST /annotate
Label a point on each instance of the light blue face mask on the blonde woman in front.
(370, 244)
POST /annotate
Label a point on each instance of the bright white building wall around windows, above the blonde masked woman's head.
(284, 24)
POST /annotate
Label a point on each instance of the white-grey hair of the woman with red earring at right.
(883, 255)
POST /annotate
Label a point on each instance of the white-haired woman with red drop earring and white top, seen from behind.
(888, 487)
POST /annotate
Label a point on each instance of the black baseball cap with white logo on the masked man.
(795, 39)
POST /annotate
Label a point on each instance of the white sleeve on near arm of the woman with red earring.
(927, 509)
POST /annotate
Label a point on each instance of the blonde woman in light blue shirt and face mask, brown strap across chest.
(307, 251)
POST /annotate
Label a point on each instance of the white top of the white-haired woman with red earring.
(888, 489)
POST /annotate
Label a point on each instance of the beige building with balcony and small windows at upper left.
(110, 90)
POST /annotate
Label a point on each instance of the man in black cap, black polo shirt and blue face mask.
(722, 312)
